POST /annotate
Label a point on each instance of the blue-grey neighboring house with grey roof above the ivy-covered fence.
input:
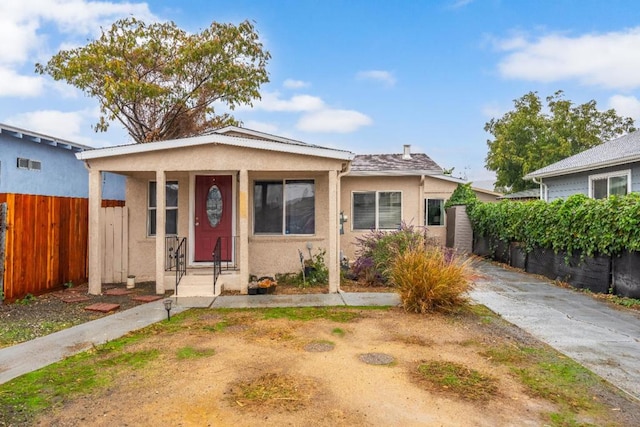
(610, 168)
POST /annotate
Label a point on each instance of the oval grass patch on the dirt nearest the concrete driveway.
(460, 380)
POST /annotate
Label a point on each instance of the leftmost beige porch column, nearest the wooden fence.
(95, 252)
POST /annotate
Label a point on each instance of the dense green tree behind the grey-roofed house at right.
(533, 135)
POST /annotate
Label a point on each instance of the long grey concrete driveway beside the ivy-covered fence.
(602, 338)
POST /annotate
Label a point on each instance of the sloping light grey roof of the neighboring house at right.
(619, 151)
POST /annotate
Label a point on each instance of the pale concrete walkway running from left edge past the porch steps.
(40, 352)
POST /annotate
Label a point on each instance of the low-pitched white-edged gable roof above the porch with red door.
(270, 143)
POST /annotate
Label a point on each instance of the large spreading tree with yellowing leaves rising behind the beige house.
(161, 82)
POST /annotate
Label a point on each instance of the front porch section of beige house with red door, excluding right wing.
(262, 196)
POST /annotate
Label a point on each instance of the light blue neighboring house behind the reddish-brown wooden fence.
(33, 163)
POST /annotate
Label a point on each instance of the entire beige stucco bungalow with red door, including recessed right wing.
(264, 198)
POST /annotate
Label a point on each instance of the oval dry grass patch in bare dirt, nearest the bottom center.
(273, 390)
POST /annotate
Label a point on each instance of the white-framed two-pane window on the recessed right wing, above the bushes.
(376, 210)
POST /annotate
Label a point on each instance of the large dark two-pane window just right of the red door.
(284, 207)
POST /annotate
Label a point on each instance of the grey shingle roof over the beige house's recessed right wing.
(393, 164)
